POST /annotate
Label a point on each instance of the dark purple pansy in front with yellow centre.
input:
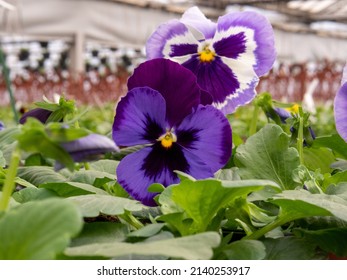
(162, 111)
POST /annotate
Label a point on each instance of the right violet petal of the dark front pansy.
(206, 133)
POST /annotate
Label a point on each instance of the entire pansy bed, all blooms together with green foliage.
(166, 174)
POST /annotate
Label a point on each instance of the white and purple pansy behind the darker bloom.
(227, 57)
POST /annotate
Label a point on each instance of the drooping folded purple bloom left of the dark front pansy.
(89, 147)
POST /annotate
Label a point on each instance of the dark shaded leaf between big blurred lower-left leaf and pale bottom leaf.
(100, 232)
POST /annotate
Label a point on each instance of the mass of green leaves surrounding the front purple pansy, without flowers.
(266, 203)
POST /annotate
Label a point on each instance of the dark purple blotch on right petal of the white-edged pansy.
(231, 46)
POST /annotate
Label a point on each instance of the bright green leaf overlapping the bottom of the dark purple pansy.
(201, 200)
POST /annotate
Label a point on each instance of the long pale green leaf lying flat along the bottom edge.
(191, 247)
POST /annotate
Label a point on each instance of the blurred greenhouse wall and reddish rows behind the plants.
(87, 49)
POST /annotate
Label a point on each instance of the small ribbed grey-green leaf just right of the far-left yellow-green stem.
(38, 175)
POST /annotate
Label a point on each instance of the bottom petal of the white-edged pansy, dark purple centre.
(230, 82)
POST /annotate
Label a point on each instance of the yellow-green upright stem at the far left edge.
(9, 180)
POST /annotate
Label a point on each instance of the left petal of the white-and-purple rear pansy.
(171, 39)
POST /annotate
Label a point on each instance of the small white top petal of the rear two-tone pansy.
(195, 18)
